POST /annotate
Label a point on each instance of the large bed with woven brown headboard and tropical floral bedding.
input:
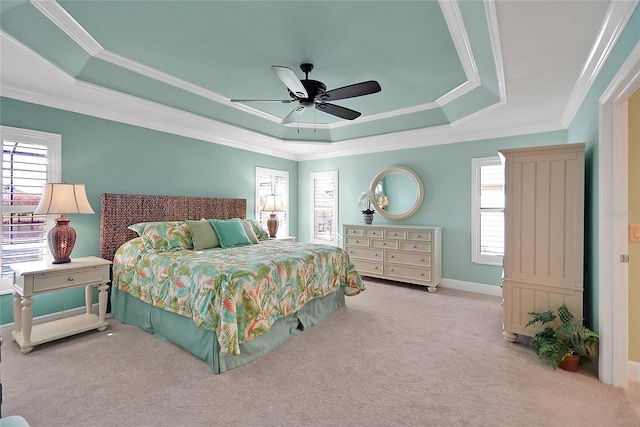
(225, 306)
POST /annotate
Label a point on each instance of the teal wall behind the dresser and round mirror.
(445, 171)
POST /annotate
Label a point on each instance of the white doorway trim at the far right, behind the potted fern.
(613, 223)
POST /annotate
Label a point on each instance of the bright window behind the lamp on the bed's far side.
(268, 182)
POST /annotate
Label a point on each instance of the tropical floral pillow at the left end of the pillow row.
(164, 236)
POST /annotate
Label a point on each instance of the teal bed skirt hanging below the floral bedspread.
(203, 343)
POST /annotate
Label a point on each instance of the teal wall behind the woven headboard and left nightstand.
(111, 157)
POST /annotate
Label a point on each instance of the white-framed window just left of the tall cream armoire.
(487, 210)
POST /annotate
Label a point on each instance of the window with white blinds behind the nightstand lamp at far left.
(29, 160)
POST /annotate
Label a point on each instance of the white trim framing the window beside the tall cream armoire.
(477, 256)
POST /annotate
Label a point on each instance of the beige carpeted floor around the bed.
(396, 355)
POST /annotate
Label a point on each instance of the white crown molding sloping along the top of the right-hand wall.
(615, 21)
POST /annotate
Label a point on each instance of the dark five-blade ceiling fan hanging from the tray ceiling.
(312, 93)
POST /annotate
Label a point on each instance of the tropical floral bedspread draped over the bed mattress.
(237, 292)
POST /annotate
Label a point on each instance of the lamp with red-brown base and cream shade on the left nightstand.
(63, 199)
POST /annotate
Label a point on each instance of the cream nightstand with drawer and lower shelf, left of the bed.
(39, 277)
